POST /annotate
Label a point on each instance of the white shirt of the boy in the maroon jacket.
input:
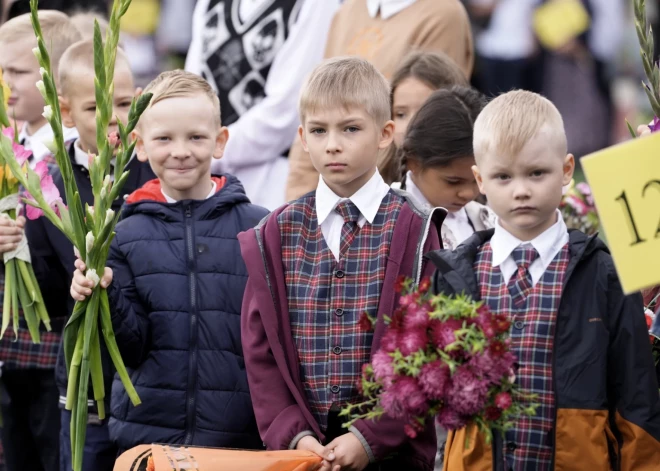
(367, 199)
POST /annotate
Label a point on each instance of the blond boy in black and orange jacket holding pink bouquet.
(582, 345)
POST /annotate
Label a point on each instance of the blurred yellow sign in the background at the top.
(559, 21)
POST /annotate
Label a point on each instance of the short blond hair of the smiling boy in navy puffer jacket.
(179, 83)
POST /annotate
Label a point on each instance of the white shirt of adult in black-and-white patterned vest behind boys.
(263, 134)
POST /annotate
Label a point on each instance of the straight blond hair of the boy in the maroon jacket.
(346, 82)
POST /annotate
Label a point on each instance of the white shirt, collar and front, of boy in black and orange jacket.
(548, 245)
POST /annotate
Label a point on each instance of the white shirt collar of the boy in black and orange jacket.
(503, 242)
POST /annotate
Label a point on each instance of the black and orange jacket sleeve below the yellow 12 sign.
(632, 379)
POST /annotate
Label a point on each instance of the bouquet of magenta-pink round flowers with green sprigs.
(445, 358)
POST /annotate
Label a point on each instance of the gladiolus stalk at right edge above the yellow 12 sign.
(652, 88)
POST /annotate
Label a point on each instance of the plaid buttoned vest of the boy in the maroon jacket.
(326, 299)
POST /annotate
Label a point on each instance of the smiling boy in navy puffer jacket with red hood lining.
(176, 280)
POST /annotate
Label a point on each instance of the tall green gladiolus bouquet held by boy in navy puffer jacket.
(90, 229)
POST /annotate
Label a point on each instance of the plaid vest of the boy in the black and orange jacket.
(529, 445)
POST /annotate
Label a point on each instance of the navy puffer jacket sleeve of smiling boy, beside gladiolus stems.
(129, 319)
